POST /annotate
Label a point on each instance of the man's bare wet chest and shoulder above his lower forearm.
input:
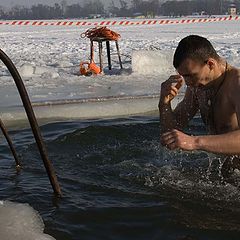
(221, 112)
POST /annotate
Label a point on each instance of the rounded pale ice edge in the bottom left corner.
(20, 222)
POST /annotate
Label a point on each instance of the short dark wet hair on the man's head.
(196, 48)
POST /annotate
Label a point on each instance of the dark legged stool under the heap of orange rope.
(100, 47)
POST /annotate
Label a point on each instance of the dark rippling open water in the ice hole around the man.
(119, 183)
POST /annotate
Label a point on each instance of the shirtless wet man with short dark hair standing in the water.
(213, 88)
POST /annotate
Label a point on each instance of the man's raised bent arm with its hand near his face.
(184, 111)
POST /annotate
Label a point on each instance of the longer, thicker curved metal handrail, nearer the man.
(33, 122)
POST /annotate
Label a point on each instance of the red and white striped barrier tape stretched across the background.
(118, 23)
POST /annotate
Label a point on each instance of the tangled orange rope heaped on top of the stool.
(101, 32)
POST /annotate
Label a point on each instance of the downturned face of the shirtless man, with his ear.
(194, 72)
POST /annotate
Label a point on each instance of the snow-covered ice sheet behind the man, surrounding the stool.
(48, 58)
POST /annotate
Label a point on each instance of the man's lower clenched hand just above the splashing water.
(176, 139)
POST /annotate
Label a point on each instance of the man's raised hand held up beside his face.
(168, 90)
